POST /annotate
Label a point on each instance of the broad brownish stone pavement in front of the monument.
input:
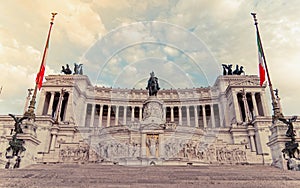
(96, 175)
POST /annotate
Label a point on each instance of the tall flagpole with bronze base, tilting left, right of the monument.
(276, 108)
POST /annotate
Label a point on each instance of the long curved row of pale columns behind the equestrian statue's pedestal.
(105, 115)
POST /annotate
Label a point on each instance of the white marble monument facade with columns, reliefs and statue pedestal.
(227, 123)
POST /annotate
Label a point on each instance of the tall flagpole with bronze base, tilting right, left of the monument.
(30, 112)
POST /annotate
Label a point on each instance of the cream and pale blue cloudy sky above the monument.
(120, 41)
